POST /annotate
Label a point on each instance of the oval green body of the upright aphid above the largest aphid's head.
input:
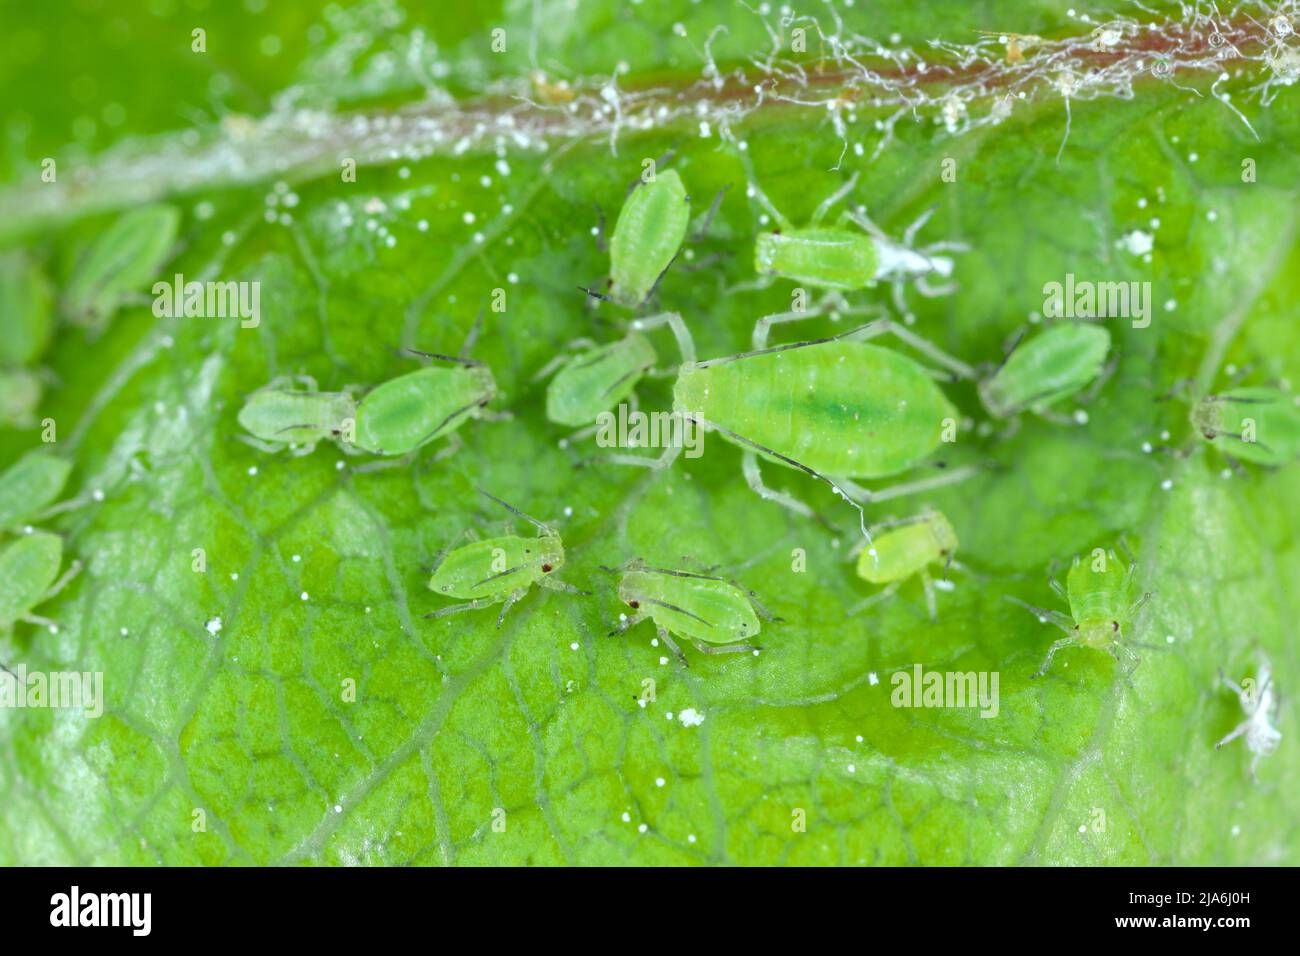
(647, 237)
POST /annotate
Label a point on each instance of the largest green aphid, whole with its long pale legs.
(805, 406)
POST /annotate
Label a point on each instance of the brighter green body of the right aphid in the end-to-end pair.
(411, 410)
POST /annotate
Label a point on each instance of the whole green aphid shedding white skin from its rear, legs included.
(840, 259)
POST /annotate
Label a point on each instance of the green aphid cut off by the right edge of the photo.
(1259, 425)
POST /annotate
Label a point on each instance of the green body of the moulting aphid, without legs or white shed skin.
(822, 258)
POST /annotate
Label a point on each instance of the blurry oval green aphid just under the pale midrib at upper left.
(119, 263)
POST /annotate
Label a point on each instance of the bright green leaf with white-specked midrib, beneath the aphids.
(232, 600)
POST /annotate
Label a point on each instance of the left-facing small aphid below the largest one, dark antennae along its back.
(712, 613)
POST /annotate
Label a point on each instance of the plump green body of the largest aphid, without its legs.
(846, 409)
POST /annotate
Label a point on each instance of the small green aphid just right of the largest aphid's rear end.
(1059, 364)
